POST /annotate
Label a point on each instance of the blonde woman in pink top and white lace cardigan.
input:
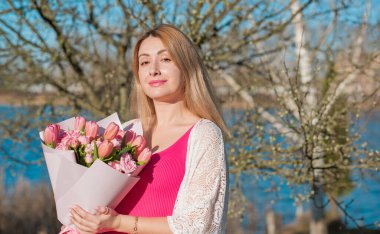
(183, 189)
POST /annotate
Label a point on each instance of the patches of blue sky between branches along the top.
(349, 17)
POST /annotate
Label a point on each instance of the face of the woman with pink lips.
(159, 76)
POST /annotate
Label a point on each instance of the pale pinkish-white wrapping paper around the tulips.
(99, 185)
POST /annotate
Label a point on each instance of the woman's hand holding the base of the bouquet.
(105, 219)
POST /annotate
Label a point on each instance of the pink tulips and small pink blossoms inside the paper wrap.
(122, 150)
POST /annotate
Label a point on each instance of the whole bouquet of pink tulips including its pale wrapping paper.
(92, 163)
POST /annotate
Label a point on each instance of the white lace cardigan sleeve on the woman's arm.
(201, 201)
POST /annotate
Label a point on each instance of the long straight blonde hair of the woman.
(198, 91)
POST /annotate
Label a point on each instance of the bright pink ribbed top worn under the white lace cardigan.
(156, 192)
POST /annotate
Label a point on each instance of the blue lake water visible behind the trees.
(366, 195)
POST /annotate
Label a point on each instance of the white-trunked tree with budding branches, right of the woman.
(312, 100)
